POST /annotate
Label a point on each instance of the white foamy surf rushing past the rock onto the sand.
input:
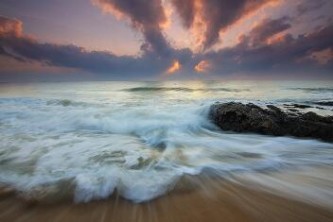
(139, 147)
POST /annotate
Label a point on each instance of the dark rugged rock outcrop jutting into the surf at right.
(240, 117)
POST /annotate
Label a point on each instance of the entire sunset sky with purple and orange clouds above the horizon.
(70, 40)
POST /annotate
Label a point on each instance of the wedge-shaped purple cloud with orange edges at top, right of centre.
(215, 15)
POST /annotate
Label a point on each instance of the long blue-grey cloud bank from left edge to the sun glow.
(14, 44)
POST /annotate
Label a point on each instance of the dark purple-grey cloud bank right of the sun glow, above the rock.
(285, 53)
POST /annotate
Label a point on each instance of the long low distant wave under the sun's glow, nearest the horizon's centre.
(182, 89)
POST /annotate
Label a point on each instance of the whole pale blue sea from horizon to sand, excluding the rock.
(140, 138)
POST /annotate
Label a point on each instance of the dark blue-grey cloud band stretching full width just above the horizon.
(266, 49)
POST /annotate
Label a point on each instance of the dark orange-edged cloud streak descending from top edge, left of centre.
(147, 16)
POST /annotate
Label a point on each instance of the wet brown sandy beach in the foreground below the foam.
(208, 199)
